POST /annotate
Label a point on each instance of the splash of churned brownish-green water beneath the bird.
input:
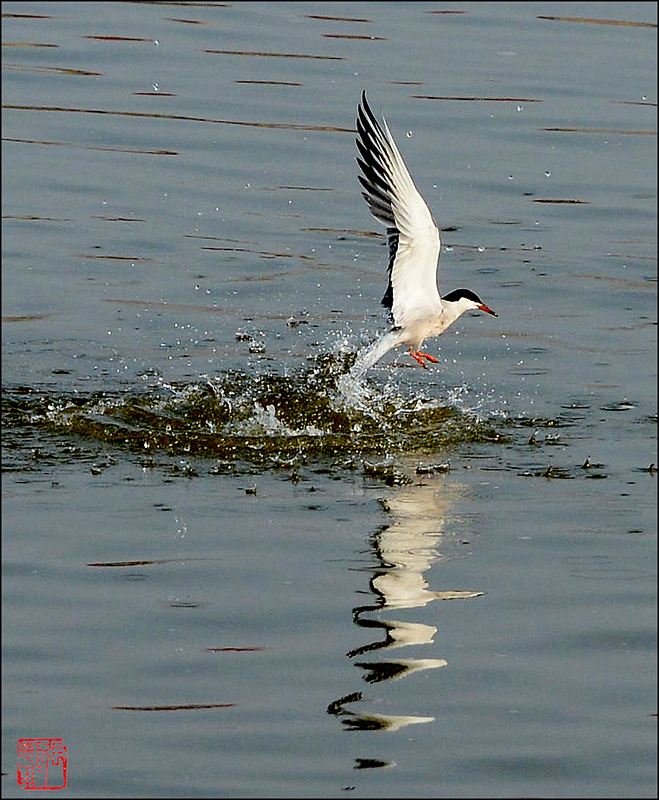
(322, 411)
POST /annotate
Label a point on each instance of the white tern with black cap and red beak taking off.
(417, 310)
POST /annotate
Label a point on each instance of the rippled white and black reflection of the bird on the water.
(404, 553)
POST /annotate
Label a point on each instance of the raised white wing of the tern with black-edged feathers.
(394, 200)
